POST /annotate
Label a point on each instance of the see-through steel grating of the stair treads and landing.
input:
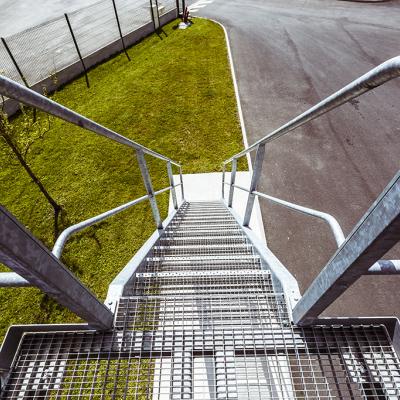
(198, 324)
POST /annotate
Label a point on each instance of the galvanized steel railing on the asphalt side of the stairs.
(307, 311)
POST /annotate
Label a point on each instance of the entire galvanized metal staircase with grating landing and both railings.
(205, 310)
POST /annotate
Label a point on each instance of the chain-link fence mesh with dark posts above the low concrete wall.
(33, 56)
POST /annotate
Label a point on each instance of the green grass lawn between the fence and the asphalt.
(176, 96)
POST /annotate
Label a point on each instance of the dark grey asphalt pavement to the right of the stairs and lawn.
(288, 56)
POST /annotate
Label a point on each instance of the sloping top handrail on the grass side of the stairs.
(31, 98)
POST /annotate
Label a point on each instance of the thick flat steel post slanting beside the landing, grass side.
(30, 259)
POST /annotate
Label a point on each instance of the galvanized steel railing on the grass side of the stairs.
(29, 97)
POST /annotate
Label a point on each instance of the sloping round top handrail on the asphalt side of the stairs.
(384, 72)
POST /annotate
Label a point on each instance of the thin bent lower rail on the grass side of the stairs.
(66, 233)
